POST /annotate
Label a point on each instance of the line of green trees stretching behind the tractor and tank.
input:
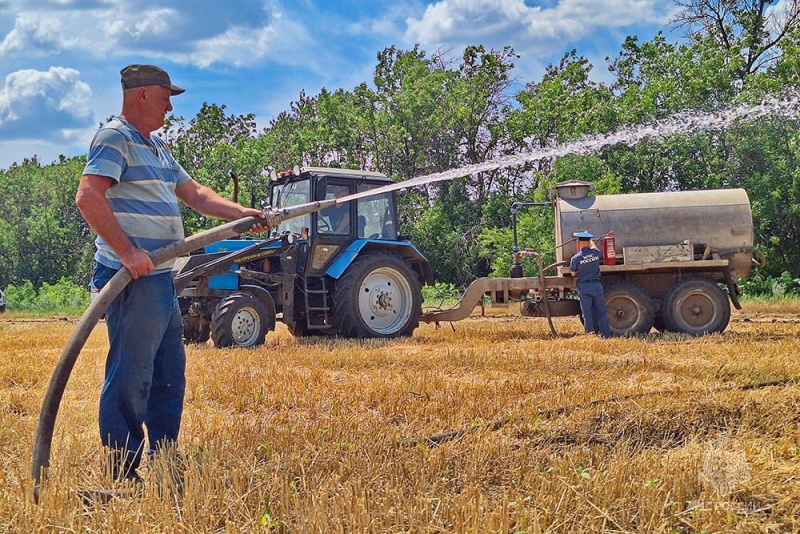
(425, 113)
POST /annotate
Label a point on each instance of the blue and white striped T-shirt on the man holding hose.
(143, 196)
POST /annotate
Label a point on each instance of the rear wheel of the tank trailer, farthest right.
(696, 306)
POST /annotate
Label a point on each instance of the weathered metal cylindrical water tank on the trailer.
(710, 223)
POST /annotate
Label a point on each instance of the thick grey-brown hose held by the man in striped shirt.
(43, 438)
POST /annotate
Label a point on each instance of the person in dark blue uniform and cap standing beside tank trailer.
(585, 267)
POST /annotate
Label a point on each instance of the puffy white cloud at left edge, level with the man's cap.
(43, 103)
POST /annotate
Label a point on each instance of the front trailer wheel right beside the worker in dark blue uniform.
(629, 308)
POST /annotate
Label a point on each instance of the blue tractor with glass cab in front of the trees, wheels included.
(344, 270)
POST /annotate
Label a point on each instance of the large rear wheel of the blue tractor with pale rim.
(378, 296)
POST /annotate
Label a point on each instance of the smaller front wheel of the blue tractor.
(240, 320)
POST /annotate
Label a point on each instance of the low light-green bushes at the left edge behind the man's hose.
(64, 296)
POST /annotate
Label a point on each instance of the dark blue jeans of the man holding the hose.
(145, 369)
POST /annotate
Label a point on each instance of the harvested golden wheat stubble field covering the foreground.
(489, 426)
